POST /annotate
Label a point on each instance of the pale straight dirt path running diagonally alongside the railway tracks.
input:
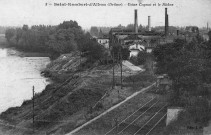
(109, 110)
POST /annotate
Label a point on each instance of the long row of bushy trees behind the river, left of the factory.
(63, 38)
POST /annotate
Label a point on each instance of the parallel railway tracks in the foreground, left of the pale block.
(143, 121)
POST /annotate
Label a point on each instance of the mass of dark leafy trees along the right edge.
(189, 67)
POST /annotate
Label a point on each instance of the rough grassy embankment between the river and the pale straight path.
(71, 100)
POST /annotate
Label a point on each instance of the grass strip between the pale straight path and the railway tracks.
(104, 124)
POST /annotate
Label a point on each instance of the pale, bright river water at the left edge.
(18, 75)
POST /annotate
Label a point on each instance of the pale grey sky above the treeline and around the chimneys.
(35, 12)
